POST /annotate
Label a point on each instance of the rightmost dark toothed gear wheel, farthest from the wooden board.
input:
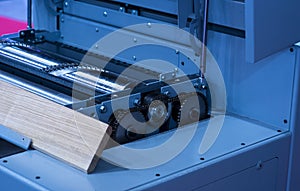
(189, 111)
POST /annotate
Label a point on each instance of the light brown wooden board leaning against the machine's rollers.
(54, 129)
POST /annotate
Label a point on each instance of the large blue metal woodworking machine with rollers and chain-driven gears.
(201, 95)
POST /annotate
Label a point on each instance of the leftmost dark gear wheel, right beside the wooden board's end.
(128, 126)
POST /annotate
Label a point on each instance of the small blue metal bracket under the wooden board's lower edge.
(14, 138)
